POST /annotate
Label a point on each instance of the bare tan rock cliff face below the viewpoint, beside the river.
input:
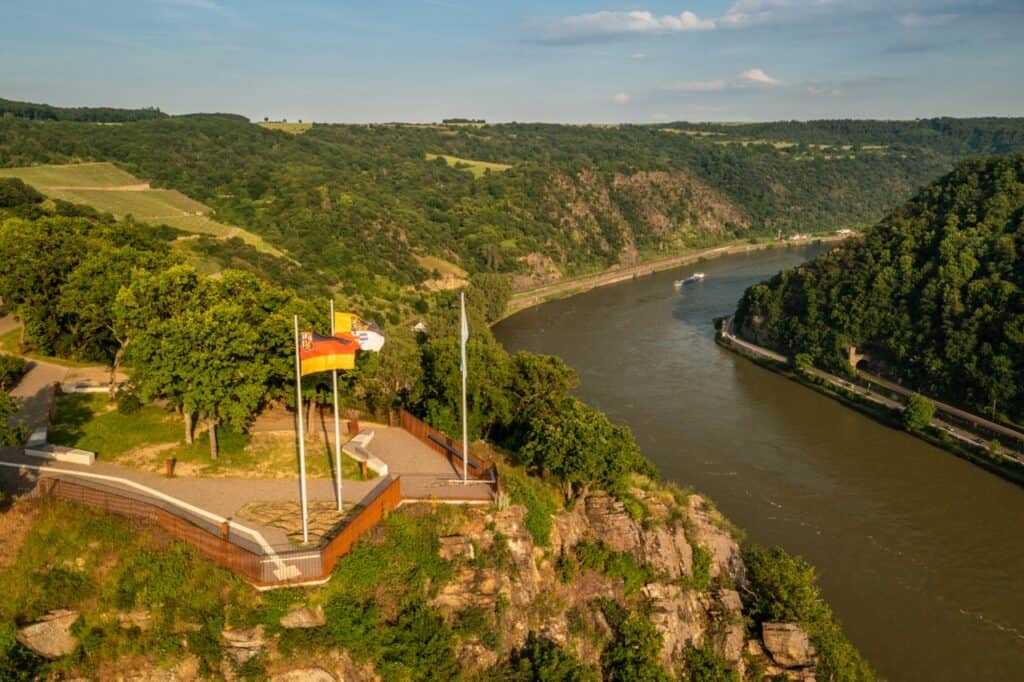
(691, 608)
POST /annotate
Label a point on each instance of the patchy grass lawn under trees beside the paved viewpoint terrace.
(145, 440)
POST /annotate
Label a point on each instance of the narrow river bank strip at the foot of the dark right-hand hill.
(963, 443)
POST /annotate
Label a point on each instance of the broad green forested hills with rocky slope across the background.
(375, 207)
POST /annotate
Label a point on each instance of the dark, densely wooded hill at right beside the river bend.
(934, 292)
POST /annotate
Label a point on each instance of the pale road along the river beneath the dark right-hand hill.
(953, 432)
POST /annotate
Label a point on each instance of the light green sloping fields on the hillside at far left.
(108, 189)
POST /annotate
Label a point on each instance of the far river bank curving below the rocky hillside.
(573, 286)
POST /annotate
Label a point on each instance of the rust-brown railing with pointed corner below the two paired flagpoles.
(229, 549)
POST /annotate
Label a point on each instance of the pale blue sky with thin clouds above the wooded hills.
(572, 62)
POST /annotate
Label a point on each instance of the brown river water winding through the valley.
(920, 553)
